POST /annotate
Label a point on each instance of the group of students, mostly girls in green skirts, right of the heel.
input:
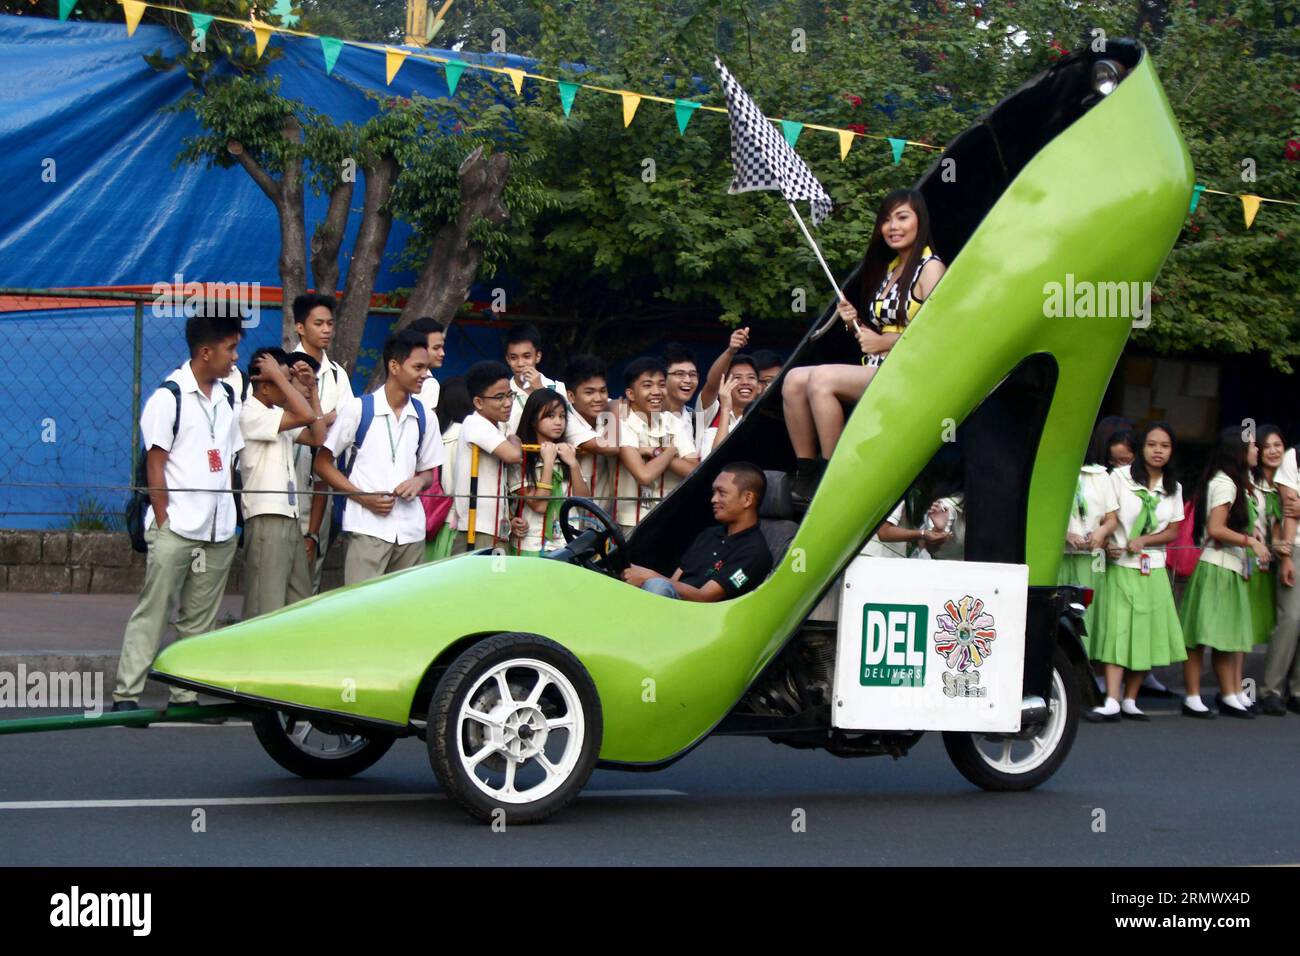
(1233, 538)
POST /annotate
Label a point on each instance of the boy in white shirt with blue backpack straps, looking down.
(393, 465)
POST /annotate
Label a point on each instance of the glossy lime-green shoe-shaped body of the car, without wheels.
(1103, 201)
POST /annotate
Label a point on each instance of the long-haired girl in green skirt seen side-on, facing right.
(1217, 604)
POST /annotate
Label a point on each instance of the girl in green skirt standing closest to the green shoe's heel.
(1094, 517)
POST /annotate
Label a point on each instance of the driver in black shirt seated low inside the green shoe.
(726, 561)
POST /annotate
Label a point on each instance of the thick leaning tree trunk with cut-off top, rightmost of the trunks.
(454, 261)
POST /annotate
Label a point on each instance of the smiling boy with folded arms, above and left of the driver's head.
(655, 451)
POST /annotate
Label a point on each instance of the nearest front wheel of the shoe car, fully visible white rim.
(514, 729)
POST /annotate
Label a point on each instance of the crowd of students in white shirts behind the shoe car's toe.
(276, 438)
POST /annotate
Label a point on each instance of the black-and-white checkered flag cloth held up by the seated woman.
(762, 158)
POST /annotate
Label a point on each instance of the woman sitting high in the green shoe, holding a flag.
(899, 274)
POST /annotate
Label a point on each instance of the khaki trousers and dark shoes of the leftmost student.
(181, 577)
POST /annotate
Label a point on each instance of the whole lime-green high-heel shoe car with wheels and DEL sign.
(523, 676)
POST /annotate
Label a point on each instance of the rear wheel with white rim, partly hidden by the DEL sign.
(1009, 763)
